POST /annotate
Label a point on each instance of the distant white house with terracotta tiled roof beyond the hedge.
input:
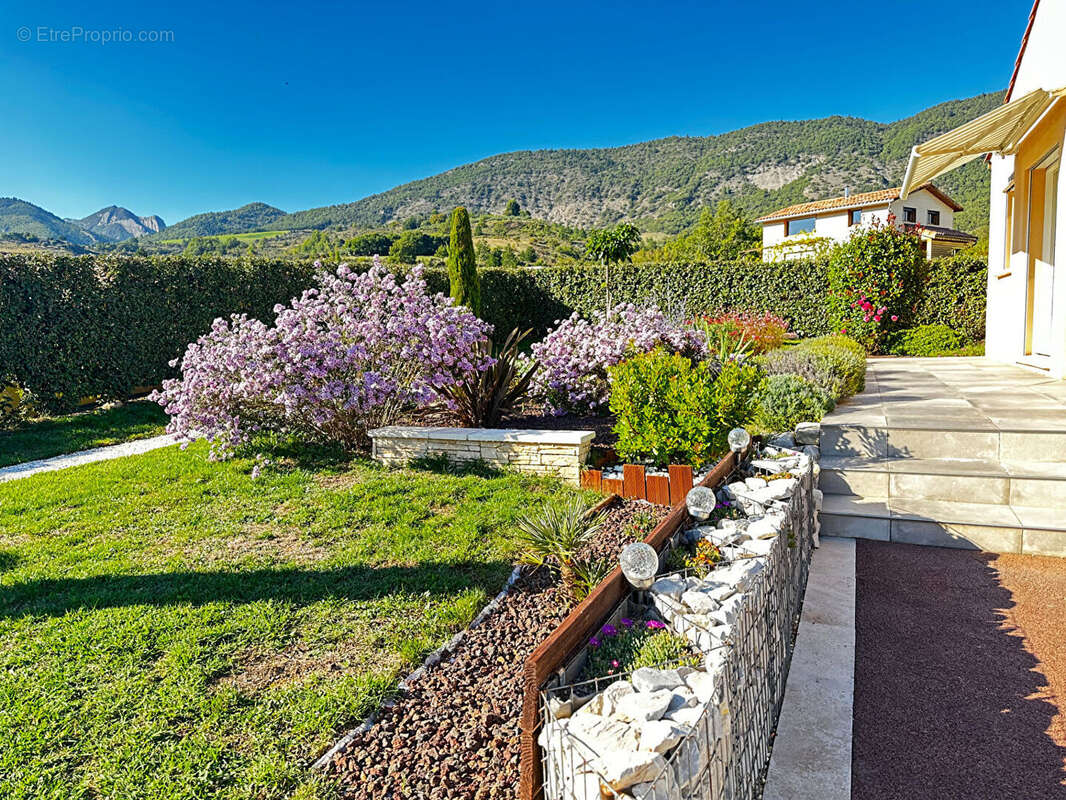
(799, 231)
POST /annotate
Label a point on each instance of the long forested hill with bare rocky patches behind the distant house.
(664, 184)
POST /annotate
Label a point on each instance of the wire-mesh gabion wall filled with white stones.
(700, 733)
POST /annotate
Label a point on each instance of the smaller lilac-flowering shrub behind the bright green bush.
(576, 356)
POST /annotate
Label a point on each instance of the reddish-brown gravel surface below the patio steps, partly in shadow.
(960, 675)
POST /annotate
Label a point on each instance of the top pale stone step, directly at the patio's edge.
(966, 439)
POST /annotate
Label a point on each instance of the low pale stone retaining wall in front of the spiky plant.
(561, 454)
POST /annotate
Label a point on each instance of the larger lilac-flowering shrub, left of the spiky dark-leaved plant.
(352, 355)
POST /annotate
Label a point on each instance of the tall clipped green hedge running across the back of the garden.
(101, 326)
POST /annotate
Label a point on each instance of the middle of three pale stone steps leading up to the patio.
(979, 482)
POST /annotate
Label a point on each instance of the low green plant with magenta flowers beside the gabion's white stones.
(634, 645)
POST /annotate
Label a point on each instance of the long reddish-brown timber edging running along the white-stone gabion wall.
(555, 651)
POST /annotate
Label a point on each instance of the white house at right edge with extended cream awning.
(1025, 137)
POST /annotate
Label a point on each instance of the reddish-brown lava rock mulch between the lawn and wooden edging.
(456, 732)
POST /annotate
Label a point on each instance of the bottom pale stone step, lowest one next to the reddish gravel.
(997, 529)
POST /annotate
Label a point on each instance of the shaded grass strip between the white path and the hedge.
(58, 436)
